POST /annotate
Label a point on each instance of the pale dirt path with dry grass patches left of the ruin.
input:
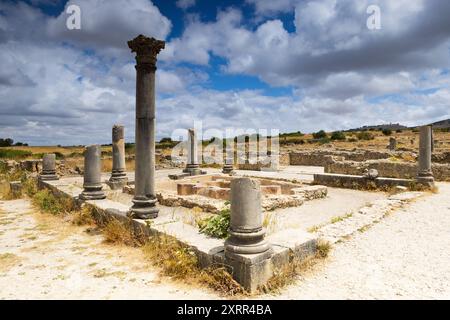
(44, 257)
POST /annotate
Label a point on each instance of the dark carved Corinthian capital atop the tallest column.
(146, 49)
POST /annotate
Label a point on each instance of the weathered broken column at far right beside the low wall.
(425, 174)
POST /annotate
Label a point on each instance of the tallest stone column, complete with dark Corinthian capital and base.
(144, 201)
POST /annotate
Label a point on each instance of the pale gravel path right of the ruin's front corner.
(405, 256)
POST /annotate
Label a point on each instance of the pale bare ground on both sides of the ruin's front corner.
(404, 256)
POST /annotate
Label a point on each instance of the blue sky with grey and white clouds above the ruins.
(291, 65)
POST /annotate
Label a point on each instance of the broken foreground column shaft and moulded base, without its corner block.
(246, 221)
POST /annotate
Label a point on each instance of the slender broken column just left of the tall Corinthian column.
(118, 176)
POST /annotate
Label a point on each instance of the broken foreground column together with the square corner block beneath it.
(246, 250)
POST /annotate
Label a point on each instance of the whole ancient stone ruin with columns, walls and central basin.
(276, 202)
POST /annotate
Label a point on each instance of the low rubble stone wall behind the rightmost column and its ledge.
(386, 168)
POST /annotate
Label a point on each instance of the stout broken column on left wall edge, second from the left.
(92, 183)
